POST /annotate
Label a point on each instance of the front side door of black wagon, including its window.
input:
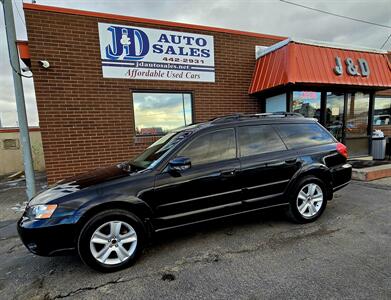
(207, 189)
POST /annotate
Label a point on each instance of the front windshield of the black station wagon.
(154, 153)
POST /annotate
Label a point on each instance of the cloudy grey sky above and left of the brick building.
(263, 16)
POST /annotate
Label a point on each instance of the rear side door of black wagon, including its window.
(267, 165)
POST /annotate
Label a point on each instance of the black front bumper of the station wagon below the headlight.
(47, 237)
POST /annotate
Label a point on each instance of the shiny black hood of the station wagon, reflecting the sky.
(82, 181)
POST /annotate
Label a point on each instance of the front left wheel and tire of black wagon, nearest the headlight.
(111, 240)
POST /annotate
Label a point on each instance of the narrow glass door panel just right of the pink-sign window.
(334, 120)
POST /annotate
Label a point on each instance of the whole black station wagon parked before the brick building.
(228, 166)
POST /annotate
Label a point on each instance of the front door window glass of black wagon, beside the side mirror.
(211, 147)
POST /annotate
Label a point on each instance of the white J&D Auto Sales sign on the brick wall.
(144, 53)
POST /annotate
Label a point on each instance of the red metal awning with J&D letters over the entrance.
(292, 62)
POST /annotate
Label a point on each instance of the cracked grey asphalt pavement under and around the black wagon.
(345, 254)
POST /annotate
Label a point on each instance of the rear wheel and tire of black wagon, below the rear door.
(308, 200)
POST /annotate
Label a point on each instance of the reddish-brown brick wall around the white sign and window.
(86, 120)
